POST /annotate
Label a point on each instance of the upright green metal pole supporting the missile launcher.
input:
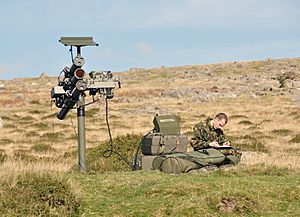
(81, 135)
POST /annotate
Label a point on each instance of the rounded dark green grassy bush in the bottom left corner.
(33, 194)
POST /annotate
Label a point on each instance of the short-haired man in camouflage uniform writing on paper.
(209, 133)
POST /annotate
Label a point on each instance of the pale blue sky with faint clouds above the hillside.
(144, 34)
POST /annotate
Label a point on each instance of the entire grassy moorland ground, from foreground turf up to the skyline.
(38, 152)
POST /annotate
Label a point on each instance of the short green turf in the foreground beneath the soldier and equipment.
(242, 192)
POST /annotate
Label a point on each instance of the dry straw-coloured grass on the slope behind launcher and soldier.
(272, 119)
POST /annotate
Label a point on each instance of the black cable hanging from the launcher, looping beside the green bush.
(111, 150)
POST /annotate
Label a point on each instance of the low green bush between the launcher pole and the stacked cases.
(125, 145)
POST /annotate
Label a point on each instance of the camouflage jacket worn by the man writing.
(204, 134)
